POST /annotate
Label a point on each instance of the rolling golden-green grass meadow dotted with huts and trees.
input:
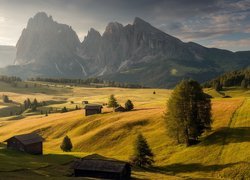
(223, 153)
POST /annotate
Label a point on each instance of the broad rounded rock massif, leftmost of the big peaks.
(49, 47)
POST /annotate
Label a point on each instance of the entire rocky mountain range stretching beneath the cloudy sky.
(135, 53)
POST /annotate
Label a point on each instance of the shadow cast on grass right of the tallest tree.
(228, 135)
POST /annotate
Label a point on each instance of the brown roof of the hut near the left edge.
(27, 138)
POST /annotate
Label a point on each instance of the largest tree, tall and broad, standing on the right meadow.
(188, 112)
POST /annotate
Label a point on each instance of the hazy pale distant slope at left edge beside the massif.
(7, 55)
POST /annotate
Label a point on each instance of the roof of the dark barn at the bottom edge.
(97, 164)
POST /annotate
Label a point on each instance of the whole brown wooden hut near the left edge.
(29, 143)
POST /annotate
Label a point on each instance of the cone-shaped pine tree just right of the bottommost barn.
(143, 155)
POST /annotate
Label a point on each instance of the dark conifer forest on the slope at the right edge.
(229, 79)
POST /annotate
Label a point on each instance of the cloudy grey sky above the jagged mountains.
(223, 24)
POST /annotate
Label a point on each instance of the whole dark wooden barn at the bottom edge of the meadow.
(102, 168)
